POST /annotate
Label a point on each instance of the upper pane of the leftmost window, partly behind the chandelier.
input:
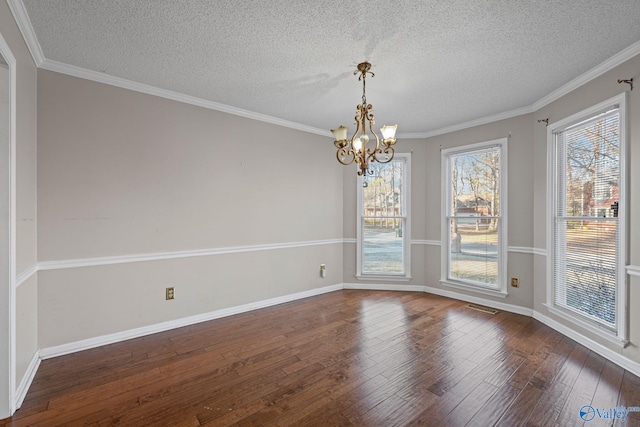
(383, 190)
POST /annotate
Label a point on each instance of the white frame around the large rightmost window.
(619, 335)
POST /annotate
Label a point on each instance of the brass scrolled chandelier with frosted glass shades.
(355, 149)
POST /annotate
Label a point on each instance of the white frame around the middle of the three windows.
(501, 289)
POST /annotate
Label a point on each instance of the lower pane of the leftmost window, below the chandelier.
(382, 246)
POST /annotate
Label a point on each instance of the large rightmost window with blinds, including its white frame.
(587, 218)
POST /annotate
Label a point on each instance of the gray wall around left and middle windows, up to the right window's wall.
(426, 211)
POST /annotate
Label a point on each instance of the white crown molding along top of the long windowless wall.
(96, 76)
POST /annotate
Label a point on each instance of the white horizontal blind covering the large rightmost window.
(586, 235)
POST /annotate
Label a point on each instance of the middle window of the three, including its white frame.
(474, 213)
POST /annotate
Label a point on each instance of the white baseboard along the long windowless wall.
(60, 350)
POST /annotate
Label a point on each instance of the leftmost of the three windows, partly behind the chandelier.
(384, 234)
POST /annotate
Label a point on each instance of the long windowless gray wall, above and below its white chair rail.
(122, 173)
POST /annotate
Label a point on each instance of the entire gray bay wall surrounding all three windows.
(527, 146)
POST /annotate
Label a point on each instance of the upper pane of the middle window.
(475, 183)
